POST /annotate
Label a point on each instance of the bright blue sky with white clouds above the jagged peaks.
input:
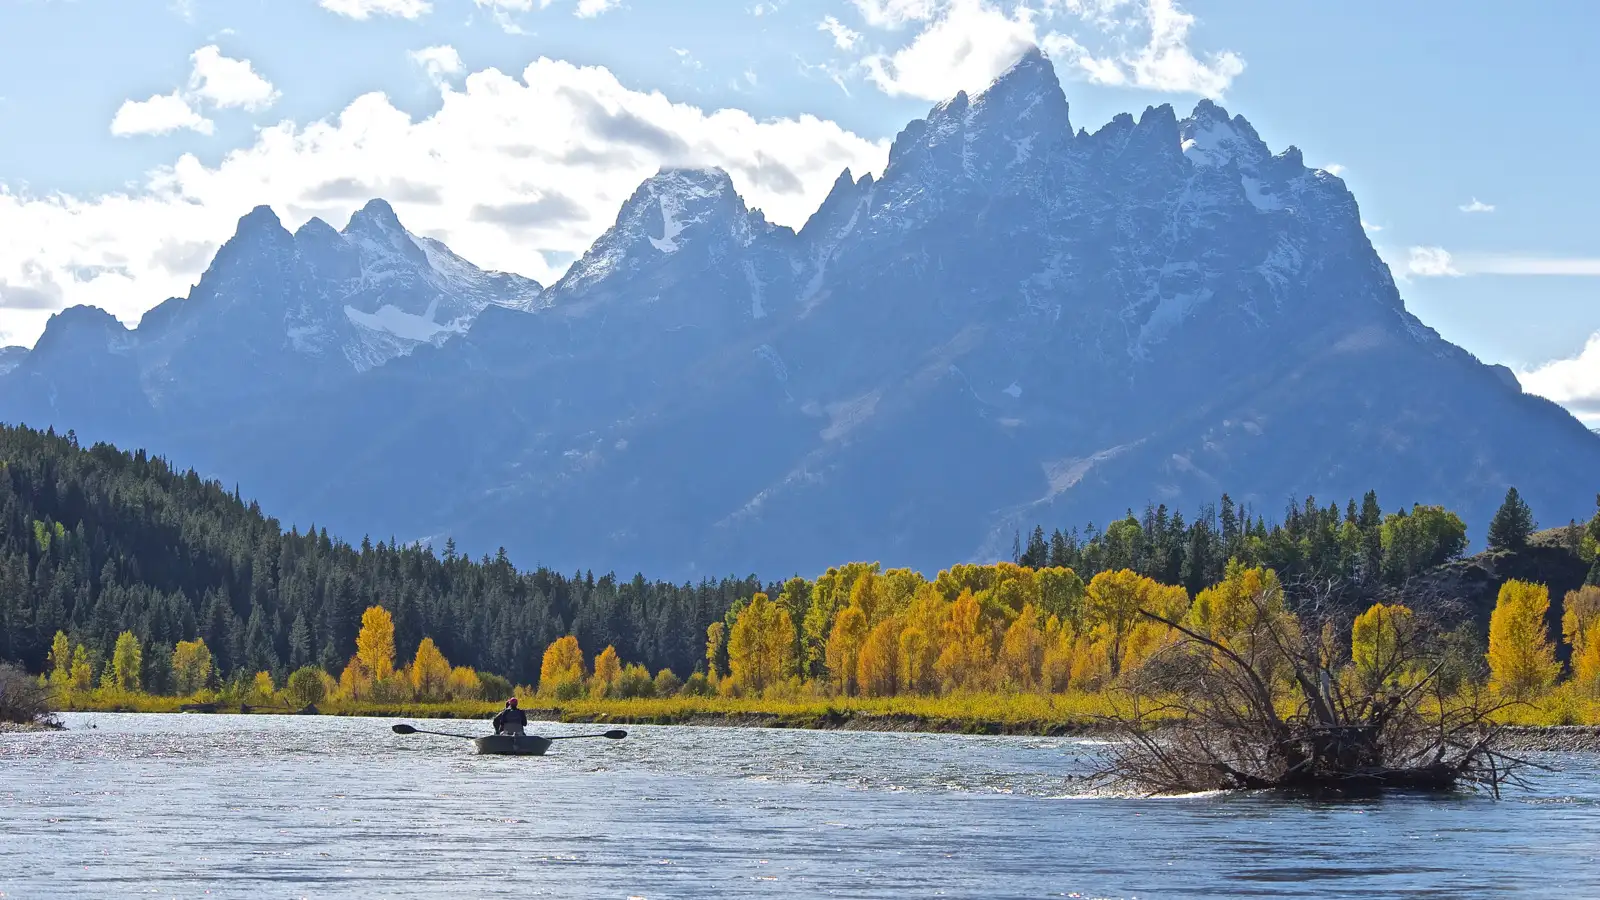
(137, 132)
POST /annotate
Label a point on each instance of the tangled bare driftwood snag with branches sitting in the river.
(1276, 705)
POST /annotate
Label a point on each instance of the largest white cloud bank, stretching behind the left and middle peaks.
(511, 172)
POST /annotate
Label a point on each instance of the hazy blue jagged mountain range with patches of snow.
(1017, 324)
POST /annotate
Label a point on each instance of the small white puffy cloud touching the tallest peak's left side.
(964, 49)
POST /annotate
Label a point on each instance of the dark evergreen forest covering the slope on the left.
(97, 540)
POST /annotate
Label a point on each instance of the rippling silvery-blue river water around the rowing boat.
(279, 806)
